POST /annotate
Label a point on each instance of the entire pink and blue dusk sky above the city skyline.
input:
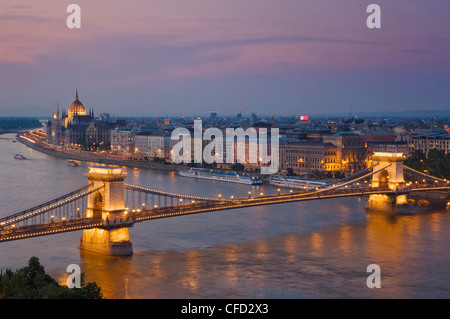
(188, 57)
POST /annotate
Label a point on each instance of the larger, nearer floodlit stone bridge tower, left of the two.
(107, 205)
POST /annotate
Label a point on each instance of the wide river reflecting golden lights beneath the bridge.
(315, 249)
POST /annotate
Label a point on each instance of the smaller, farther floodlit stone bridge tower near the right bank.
(389, 176)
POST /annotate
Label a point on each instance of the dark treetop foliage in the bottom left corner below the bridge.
(31, 282)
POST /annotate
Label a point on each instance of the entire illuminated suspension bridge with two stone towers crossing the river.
(107, 207)
